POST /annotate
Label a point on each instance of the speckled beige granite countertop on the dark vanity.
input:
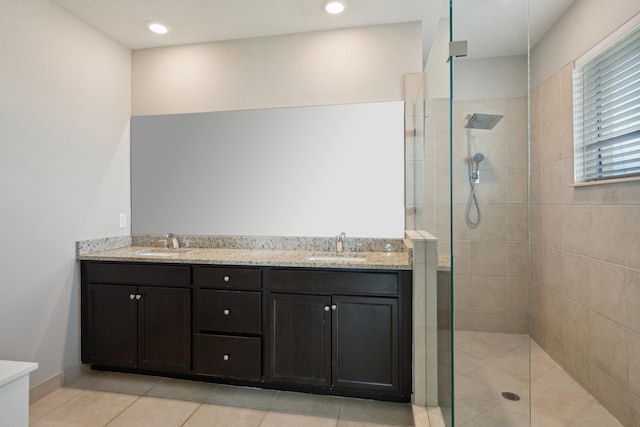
(259, 257)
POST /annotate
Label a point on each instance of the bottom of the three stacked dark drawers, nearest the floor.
(228, 357)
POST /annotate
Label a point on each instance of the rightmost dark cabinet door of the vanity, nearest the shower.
(365, 343)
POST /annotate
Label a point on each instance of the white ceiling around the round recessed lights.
(493, 27)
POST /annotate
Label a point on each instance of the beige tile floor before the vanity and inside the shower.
(486, 365)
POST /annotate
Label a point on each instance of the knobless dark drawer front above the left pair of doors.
(139, 274)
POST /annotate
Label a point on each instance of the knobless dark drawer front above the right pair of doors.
(323, 281)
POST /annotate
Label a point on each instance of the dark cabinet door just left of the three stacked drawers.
(164, 329)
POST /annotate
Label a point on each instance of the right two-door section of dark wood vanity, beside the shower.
(341, 330)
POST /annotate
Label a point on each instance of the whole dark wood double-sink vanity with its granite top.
(270, 319)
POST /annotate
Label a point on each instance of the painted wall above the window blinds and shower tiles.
(580, 28)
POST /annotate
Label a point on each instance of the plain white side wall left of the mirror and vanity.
(64, 172)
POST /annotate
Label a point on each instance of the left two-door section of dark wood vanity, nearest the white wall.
(136, 326)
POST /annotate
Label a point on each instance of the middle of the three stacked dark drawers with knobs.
(228, 311)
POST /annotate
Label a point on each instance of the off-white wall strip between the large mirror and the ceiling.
(355, 65)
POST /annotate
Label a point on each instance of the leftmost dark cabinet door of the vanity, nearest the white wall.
(113, 325)
